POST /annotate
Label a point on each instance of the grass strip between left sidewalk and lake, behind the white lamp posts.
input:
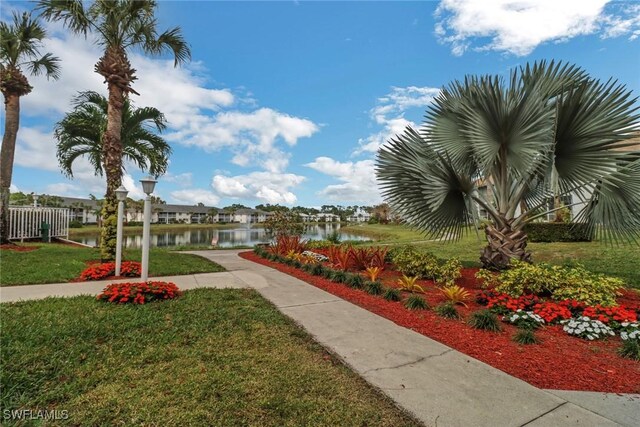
(53, 263)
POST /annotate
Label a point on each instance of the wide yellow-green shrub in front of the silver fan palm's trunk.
(573, 283)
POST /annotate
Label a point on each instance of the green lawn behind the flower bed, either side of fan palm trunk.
(620, 261)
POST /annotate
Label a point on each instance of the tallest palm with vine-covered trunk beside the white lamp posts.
(119, 26)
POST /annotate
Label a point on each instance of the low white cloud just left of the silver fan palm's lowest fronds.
(358, 182)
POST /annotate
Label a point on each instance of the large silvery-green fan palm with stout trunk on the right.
(549, 130)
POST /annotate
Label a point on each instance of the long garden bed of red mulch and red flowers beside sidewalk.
(558, 361)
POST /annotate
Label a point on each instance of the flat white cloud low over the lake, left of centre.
(266, 187)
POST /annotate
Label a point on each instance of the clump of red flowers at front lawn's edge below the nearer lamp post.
(139, 293)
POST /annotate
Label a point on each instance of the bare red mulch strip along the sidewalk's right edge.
(558, 362)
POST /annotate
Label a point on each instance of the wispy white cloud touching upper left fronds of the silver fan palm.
(389, 112)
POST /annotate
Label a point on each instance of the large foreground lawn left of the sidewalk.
(212, 357)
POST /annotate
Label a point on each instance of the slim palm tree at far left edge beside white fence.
(20, 43)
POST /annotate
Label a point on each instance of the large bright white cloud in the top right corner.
(518, 27)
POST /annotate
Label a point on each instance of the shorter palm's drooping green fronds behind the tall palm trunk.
(80, 134)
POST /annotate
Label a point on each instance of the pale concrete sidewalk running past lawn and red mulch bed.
(439, 385)
